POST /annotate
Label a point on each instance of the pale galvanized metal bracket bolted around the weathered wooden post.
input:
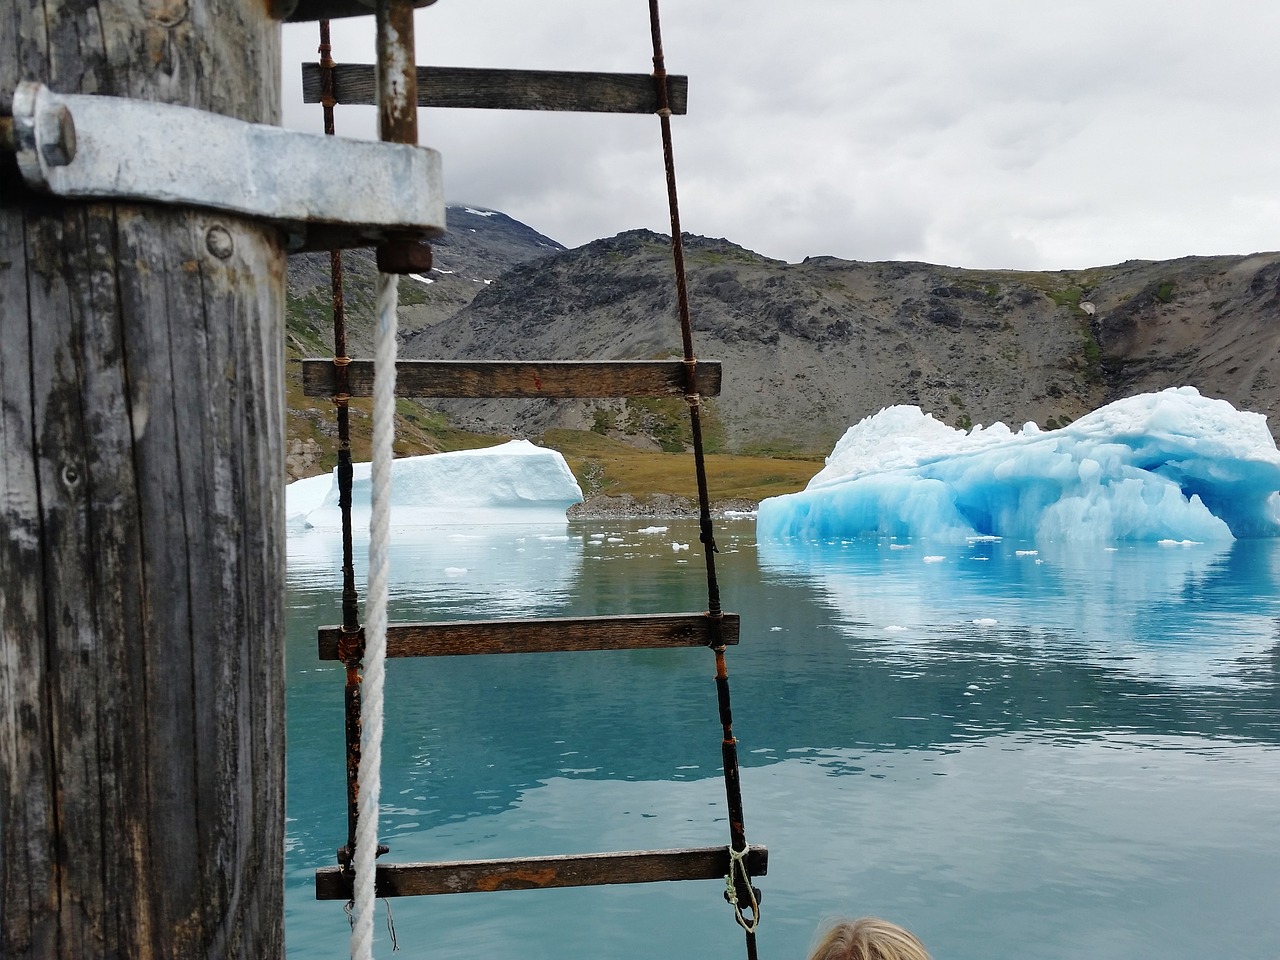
(111, 149)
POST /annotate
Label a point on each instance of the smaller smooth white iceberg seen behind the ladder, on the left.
(513, 483)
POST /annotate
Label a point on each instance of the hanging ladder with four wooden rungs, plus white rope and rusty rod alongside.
(363, 650)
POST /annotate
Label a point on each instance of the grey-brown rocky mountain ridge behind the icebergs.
(810, 349)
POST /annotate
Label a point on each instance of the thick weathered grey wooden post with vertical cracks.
(141, 525)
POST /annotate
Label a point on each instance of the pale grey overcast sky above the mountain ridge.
(994, 134)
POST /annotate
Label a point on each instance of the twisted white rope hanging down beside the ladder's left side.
(376, 620)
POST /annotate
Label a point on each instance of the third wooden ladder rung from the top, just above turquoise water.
(552, 636)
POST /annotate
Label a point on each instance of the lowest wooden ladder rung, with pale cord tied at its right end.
(542, 872)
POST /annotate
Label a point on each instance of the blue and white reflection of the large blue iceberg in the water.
(1183, 614)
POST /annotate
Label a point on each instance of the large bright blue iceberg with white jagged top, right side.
(1160, 467)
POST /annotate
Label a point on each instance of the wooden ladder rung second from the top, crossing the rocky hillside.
(481, 380)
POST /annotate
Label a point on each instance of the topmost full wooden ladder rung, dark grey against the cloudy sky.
(509, 90)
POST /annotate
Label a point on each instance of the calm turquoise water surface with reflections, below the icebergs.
(1018, 755)
